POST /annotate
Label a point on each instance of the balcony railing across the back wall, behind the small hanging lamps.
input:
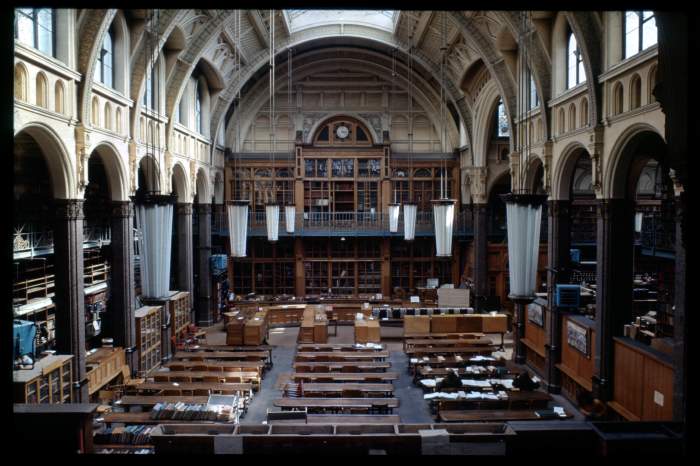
(343, 224)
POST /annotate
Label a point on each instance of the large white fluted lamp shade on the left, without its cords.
(156, 223)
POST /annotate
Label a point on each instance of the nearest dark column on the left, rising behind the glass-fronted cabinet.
(70, 294)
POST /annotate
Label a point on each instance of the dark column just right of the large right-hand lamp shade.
(558, 245)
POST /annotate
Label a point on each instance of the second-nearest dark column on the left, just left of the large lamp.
(122, 289)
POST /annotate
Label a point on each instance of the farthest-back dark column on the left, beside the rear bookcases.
(203, 308)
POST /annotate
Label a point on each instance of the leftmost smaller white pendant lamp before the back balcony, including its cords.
(237, 210)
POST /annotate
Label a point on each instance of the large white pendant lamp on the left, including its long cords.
(154, 211)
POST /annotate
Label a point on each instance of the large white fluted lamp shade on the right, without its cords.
(524, 220)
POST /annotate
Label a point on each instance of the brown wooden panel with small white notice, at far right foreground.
(643, 383)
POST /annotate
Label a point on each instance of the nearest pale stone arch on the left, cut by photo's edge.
(57, 159)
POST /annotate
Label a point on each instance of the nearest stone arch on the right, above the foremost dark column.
(619, 163)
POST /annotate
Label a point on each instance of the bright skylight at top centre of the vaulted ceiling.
(304, 19)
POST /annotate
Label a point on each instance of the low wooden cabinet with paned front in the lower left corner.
(50, 381)
